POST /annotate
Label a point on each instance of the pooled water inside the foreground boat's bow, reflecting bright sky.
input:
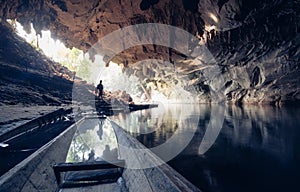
(94, 140)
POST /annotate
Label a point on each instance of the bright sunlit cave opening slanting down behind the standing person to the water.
(113, 77)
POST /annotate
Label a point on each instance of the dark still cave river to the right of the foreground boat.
(232, 148)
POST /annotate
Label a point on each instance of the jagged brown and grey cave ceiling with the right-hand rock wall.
(255, 43)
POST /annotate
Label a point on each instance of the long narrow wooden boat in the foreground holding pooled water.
(79, 160)
